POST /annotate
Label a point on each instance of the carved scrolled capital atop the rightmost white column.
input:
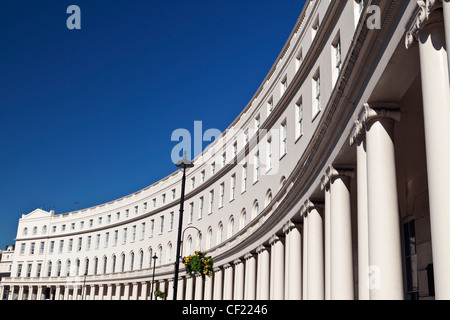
(420, 18)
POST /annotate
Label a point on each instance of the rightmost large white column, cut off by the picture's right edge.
(436, 110)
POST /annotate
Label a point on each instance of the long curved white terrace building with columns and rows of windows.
(331, 184)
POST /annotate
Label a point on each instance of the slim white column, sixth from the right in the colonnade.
(277, 268)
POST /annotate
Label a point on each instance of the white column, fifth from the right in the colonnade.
(294, 275)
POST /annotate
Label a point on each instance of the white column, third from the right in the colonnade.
(341, 252)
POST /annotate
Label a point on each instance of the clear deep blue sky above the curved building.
(87, 115)
